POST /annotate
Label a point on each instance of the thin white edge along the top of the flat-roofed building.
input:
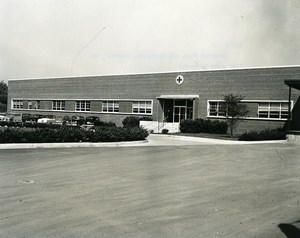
(166, 72)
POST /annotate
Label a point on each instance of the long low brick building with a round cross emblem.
(166, 97)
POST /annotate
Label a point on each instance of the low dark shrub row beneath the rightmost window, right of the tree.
(268, 134)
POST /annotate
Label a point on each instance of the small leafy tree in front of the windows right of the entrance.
(235, 110)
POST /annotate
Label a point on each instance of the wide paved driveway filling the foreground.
(151, 191)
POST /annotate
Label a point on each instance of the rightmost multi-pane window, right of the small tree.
(273, 110)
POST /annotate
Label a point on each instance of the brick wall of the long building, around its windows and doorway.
(254, 84)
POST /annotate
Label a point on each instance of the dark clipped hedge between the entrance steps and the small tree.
(203, 126)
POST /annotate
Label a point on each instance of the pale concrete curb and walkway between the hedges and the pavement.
(152, 140)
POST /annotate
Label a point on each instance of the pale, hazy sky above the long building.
(55, 38)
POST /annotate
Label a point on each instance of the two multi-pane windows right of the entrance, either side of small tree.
(270, 110)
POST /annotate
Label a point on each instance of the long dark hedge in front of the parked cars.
(71, 134)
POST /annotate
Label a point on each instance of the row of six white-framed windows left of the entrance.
(140, 107)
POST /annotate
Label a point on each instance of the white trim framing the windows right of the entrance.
(251, 101)
